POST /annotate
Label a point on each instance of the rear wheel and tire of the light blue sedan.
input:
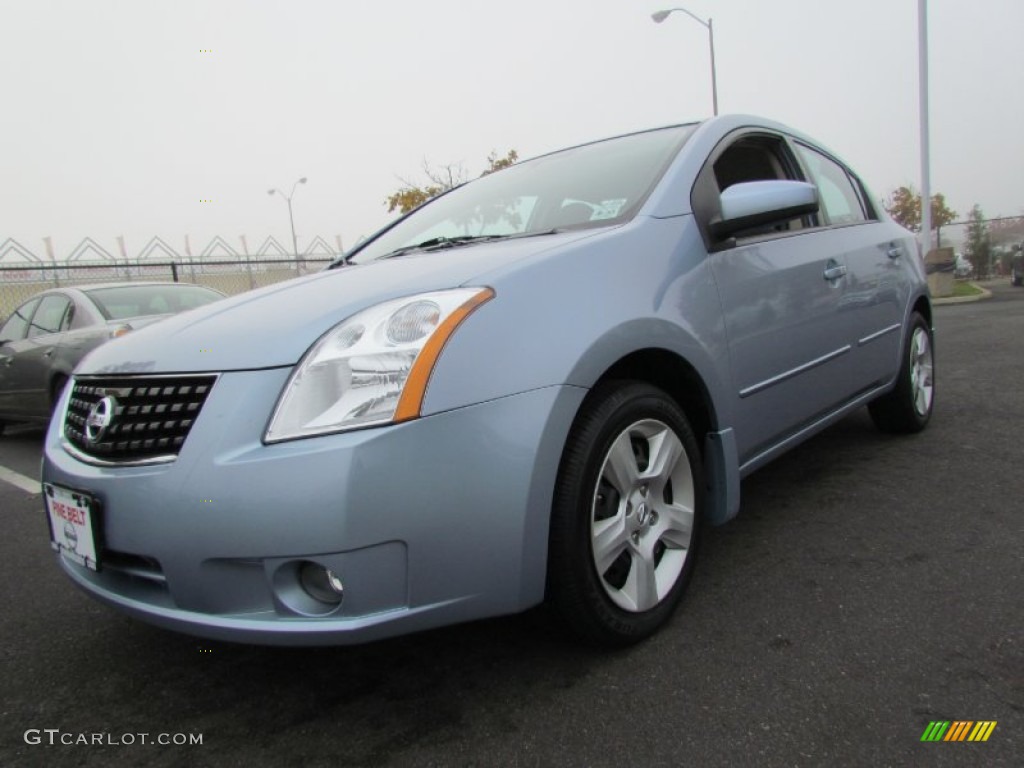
(909, 407)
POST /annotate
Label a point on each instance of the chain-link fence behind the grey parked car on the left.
(18, 283)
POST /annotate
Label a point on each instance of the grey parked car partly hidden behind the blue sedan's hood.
(45, 338)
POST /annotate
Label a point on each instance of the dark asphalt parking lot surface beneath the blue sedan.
(871, 585)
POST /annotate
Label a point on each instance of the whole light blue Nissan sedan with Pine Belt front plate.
(538, 387)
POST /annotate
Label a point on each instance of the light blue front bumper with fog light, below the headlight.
(438, 521)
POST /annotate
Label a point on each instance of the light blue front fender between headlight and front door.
(568, 318)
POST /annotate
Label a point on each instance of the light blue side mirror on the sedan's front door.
(754, 204)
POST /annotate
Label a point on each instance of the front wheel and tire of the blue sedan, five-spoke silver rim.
(627, 516)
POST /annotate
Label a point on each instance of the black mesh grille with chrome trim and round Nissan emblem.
(145, 418)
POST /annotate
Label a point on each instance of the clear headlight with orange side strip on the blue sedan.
(373, 368)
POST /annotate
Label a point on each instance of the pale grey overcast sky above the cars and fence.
(116, 121)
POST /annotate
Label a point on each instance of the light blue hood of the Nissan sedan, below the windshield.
(275, 326)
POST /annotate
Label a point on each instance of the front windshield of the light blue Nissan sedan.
(590, 186)
